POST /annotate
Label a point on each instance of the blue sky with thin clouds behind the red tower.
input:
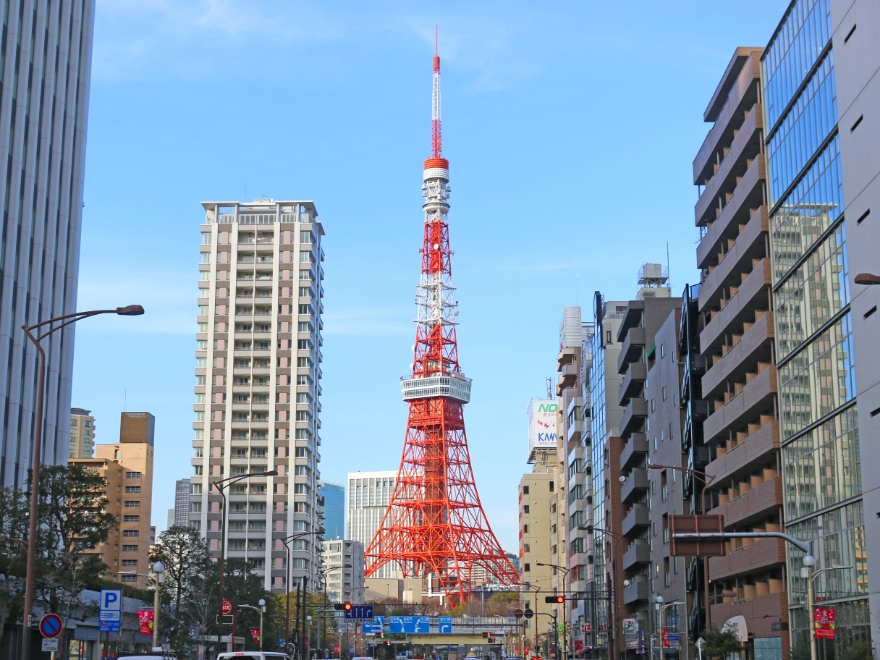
(570, 128)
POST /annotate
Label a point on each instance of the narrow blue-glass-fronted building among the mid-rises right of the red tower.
(605, 450)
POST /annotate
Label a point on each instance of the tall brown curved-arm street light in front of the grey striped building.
(30, 575)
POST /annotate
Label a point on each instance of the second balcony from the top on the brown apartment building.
(744, 151)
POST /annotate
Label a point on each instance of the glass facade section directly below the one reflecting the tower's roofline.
(813, 293)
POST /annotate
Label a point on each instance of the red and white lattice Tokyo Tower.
(435, 524)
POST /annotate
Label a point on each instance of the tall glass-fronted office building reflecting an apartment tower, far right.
(811, 300)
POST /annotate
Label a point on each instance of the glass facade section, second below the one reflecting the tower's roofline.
(818, 380)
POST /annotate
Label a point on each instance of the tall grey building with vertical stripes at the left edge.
(46, 53)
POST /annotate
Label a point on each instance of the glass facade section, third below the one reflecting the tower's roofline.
(822, 466)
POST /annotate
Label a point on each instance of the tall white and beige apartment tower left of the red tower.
(258, 373)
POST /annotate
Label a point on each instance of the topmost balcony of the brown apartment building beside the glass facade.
(730, 100)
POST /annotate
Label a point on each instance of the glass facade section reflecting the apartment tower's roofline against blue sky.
(813, 206)
